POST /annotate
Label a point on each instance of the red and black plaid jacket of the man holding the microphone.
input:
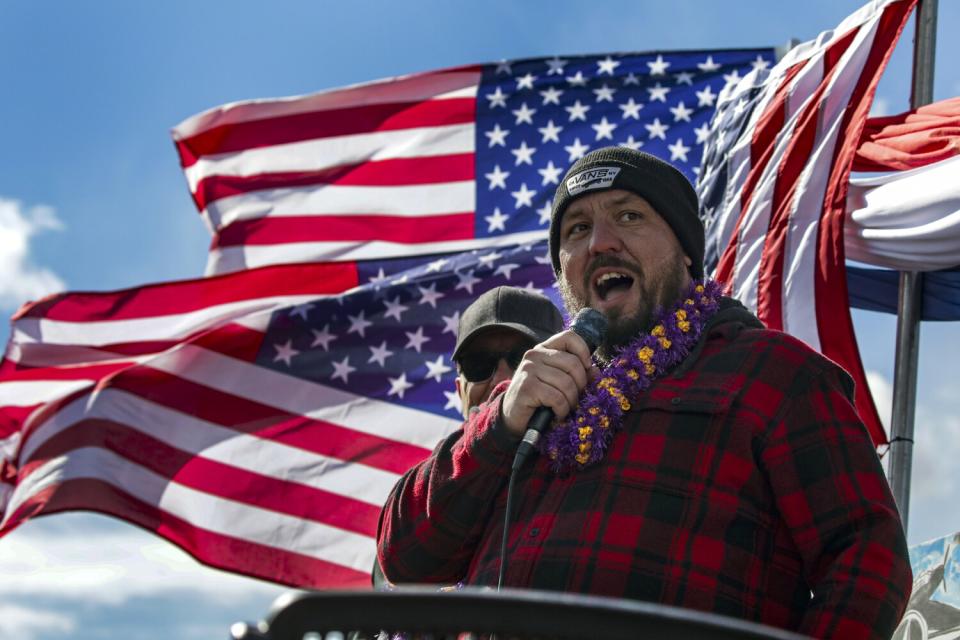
(738, 486)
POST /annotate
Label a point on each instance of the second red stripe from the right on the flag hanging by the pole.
(805, 137)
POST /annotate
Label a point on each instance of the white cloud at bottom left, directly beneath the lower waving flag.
(110, 565)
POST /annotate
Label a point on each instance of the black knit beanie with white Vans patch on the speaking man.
(661, 184)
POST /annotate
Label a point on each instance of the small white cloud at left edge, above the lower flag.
(20, 279)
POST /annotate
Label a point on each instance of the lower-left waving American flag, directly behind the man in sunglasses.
(260, 428)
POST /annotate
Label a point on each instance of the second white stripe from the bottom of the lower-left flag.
(214, 442)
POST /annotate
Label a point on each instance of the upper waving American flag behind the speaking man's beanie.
(443, 161)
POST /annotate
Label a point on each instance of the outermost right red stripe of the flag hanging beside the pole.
(834, 323)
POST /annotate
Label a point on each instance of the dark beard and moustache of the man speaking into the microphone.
(622, 328)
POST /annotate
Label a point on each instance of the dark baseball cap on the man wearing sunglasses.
(526, 312)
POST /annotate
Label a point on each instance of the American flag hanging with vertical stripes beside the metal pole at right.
(774, 183)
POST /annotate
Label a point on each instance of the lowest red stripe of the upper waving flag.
(402, 229)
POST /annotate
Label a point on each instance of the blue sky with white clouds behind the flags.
(92, 198)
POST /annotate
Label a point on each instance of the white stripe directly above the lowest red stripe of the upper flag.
(403, 201)
